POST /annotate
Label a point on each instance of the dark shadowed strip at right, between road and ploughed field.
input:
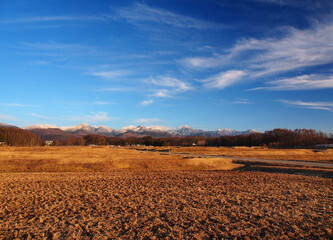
(273, 168)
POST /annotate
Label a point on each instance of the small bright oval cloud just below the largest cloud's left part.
(224, 79)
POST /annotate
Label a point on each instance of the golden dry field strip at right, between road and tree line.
(261, 153)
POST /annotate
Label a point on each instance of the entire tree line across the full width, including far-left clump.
(277, 138)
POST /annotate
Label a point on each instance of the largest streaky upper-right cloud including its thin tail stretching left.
(294, 50)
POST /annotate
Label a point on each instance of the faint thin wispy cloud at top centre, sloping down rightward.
(139, 12)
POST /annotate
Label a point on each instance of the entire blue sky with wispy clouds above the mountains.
(251, 64)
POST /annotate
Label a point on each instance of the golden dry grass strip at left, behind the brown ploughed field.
(83, 159)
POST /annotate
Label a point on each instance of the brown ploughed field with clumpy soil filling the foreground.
(165, 204)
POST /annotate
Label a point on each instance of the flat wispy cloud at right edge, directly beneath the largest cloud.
(304, 82)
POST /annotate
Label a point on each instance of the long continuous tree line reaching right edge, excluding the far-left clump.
(277, 138)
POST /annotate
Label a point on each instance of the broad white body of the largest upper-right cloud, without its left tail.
(297, 49)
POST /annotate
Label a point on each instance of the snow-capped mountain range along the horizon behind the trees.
(61, 133)
